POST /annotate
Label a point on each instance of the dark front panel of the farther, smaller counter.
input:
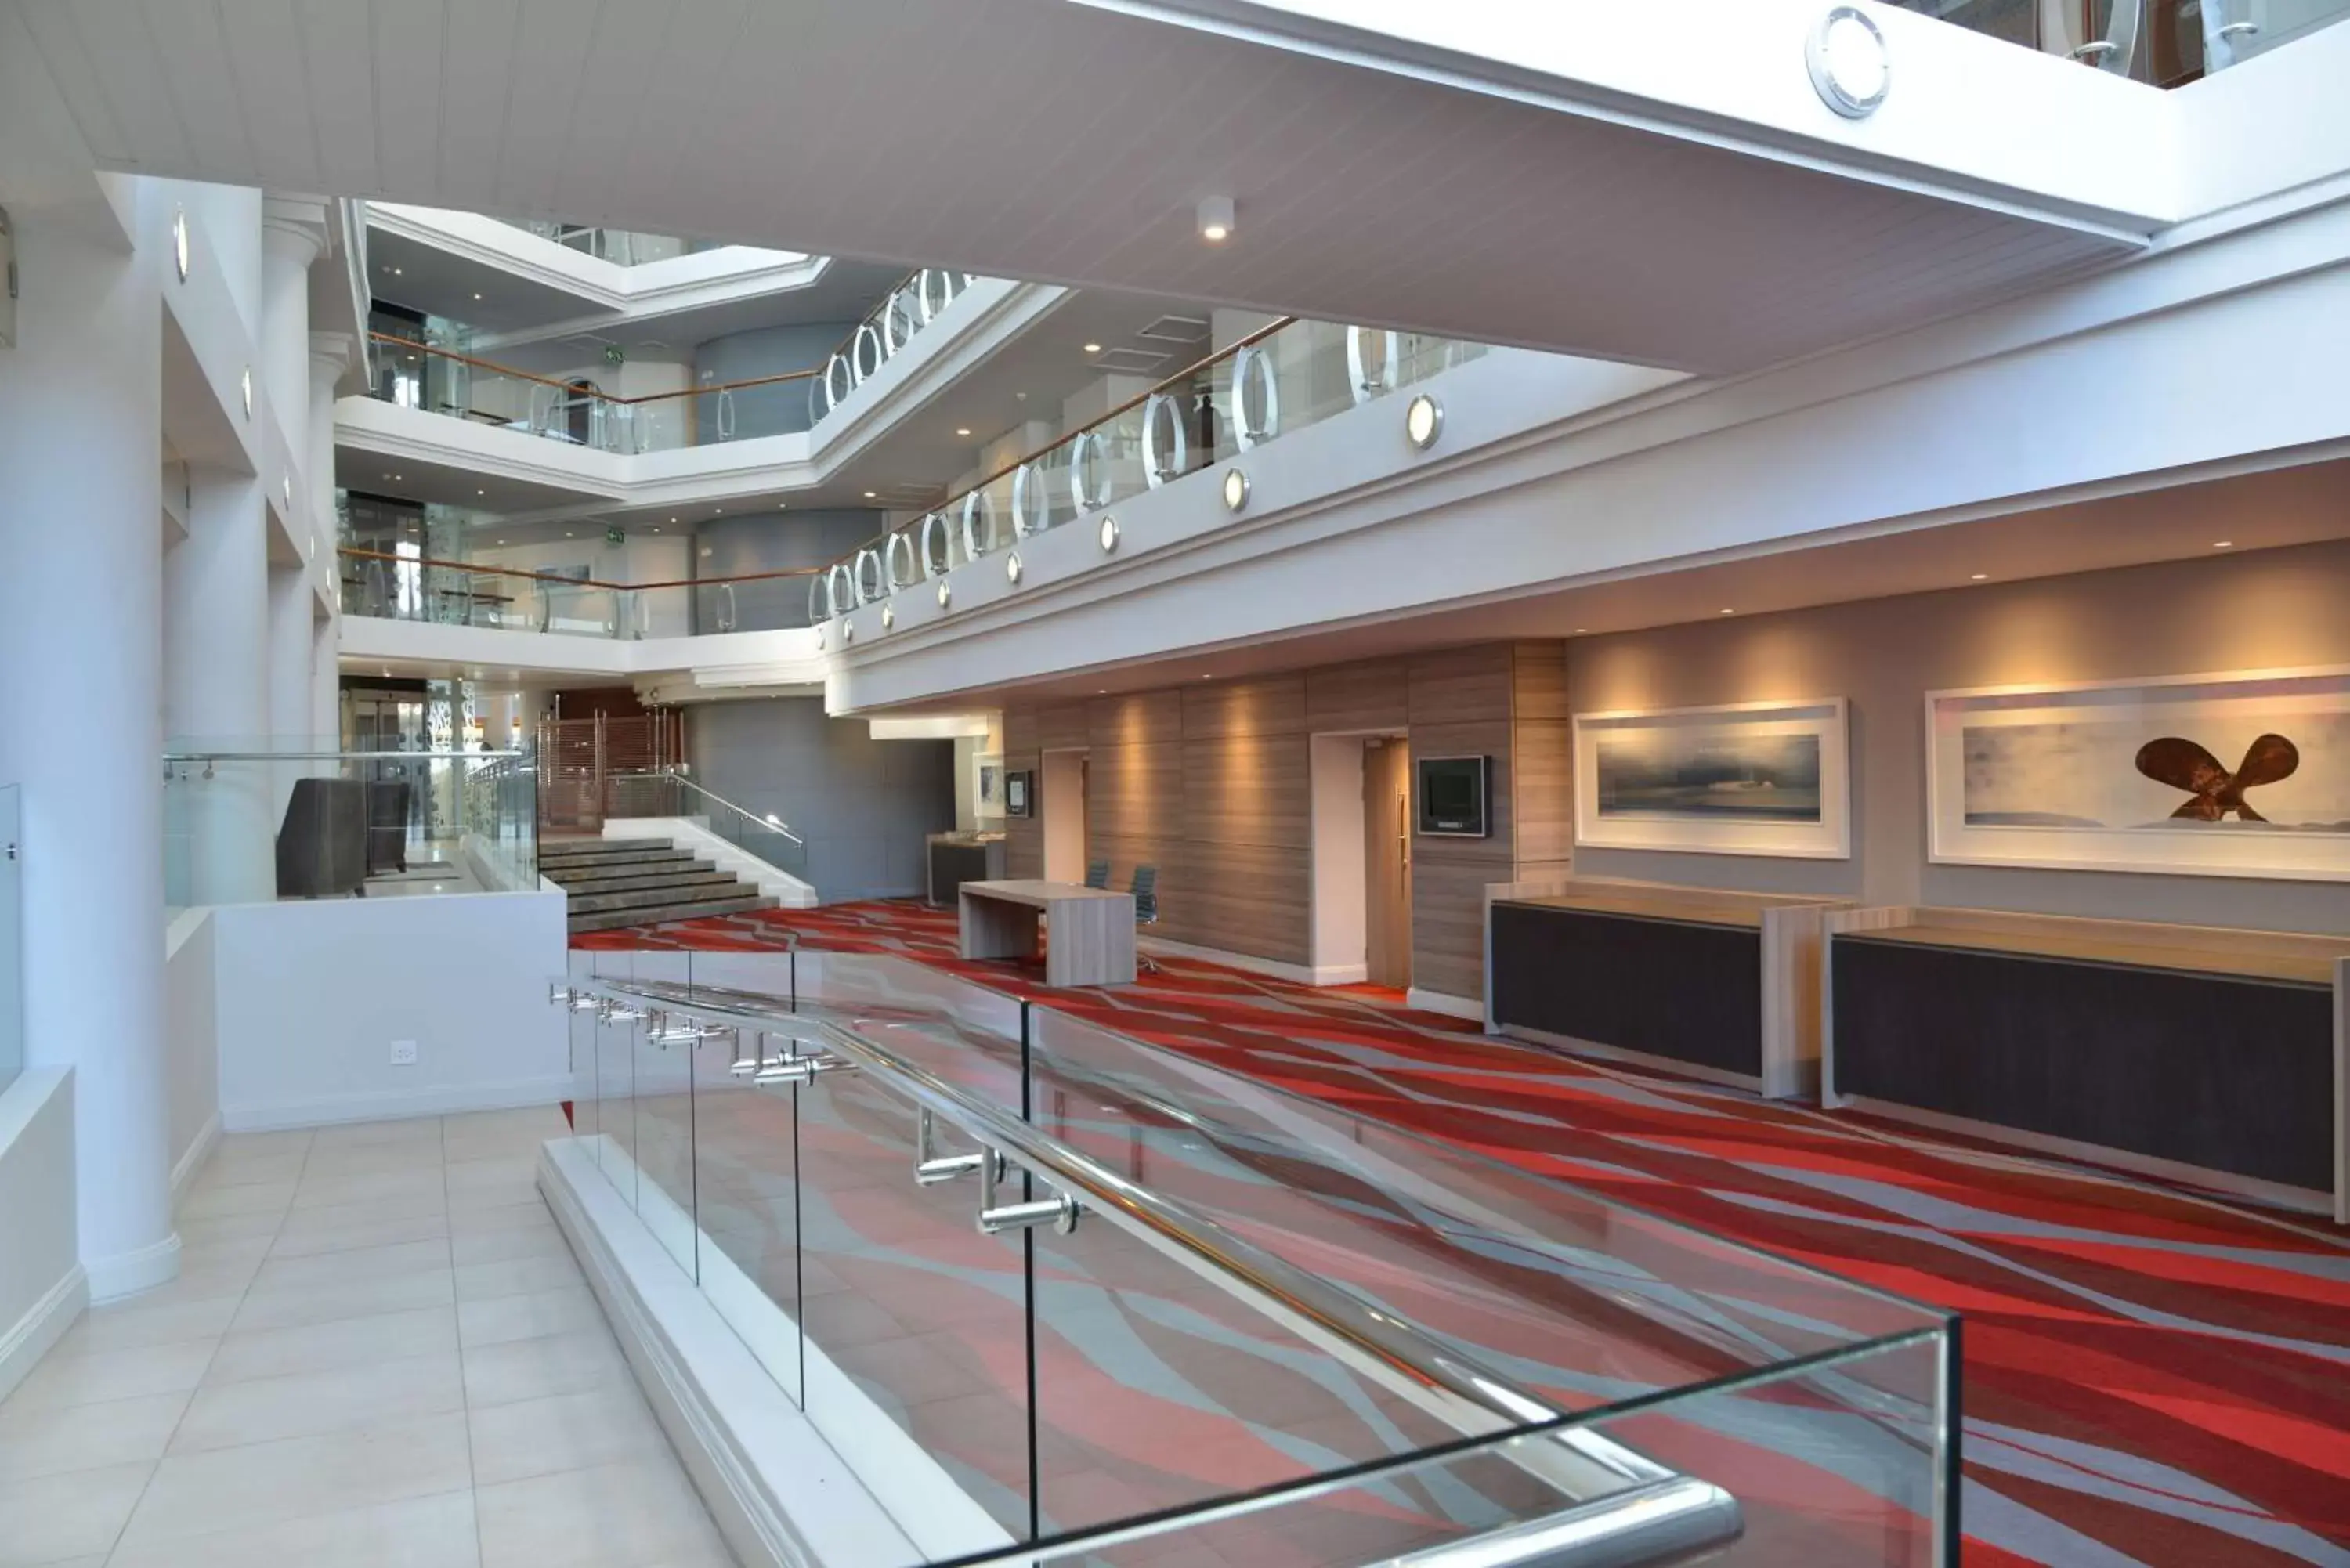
(1672, 989)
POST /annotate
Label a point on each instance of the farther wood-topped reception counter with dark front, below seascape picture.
(1714, 984)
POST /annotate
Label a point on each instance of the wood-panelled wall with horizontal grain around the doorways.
(1211, 784)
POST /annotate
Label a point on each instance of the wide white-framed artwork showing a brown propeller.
(2236, 775)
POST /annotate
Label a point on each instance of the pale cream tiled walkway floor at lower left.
(380, 1355)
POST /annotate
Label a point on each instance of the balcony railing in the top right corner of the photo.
(2151, 41)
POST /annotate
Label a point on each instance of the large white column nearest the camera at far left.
(81, 685)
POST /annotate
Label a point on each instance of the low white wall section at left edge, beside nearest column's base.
(41, 1273)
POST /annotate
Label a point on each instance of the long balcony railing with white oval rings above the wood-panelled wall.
(1277, 380)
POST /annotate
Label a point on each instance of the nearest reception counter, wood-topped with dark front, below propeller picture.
(2189, 1052)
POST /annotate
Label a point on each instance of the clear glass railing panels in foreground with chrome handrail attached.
(1132, 1308)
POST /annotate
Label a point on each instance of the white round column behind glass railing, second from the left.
(217, 685)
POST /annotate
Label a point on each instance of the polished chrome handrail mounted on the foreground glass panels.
(1390, 1351)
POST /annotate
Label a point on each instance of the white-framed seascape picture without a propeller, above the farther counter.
(1754, 779)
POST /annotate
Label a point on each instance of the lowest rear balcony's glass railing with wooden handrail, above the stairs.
(391, 587)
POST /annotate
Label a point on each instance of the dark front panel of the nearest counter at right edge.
(2210, 1071)
